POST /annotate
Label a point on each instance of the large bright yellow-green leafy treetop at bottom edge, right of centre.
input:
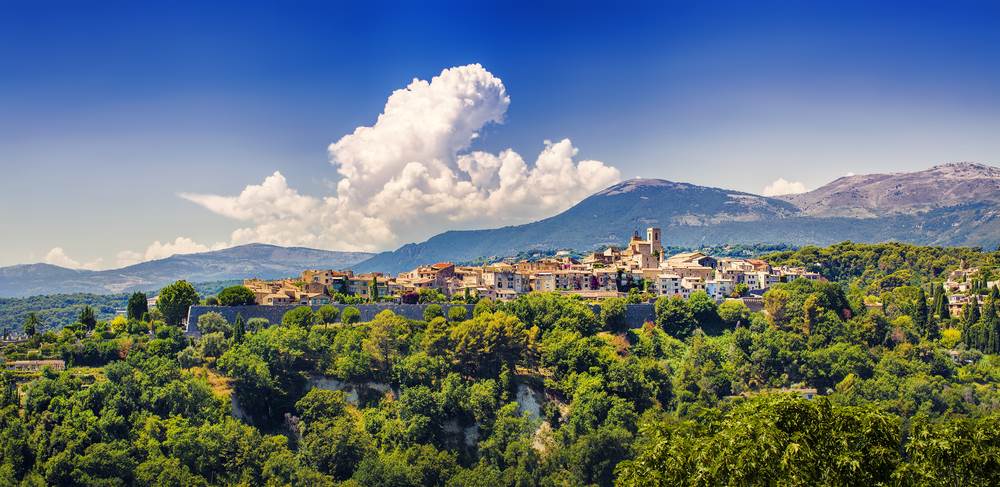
(770, 440)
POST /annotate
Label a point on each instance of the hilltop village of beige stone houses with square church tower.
(641, 266)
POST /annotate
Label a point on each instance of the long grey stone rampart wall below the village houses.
(635, 315)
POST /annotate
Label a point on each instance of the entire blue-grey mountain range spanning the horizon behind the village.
(950, 204)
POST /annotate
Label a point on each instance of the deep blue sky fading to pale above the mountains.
(110, 110)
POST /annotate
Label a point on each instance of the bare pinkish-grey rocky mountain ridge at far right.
(877, 195)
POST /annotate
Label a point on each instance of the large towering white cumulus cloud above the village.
(411, 175)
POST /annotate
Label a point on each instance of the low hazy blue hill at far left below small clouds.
(253, 260)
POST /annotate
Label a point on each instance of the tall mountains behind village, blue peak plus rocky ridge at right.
(962, 209)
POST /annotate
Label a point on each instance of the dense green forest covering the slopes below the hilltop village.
(862, 380)
